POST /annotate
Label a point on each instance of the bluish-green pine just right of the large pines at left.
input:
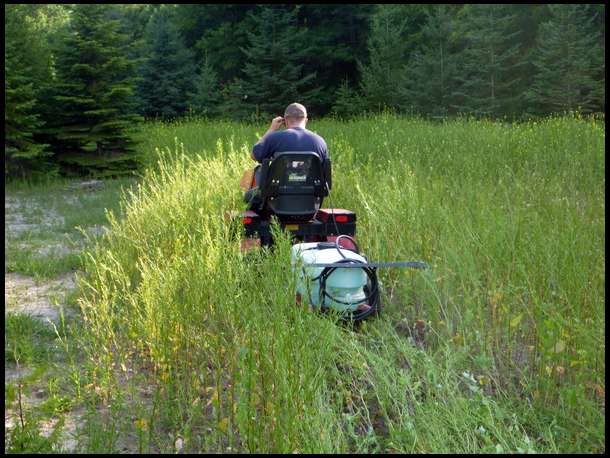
(167, 74)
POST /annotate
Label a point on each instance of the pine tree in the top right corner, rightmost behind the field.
(568, 60)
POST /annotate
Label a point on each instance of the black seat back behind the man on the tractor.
(293, 184)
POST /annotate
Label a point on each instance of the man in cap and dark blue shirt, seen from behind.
(294, 138)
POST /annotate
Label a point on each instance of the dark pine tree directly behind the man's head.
(273, 76)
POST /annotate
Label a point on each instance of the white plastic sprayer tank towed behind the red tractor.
(344, 285)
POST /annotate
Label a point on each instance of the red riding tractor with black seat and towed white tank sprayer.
(331, 272)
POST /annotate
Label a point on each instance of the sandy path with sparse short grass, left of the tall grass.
(41, 237)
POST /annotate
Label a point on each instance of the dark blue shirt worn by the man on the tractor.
(294, 139)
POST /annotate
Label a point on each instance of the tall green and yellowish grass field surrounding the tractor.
(499, 347)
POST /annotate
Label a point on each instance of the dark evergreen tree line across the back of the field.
(79, 77)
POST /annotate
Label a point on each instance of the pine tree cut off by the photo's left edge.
(24, 71)
